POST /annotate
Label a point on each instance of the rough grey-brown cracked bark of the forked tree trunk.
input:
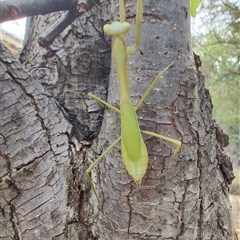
(50, 134)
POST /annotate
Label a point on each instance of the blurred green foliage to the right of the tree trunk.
(217, 41)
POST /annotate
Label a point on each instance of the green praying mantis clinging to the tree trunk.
(133, 149)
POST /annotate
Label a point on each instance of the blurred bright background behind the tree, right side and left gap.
(216, 39)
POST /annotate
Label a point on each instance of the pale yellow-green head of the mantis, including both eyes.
(116, 28)
